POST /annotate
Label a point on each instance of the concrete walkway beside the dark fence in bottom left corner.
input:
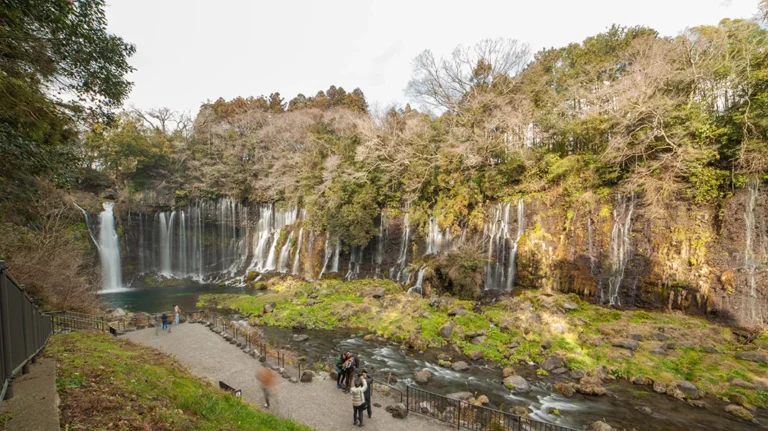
(35, 402)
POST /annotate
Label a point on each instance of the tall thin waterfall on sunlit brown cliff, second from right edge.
(620, 247)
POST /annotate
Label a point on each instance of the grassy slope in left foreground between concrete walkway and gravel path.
(111, 384)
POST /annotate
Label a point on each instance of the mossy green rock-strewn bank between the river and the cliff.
(527, 328)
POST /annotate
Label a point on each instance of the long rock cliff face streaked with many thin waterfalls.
(612, 250)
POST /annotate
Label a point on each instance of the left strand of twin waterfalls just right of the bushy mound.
(497, 231)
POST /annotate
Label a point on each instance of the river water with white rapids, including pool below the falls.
(621, 407)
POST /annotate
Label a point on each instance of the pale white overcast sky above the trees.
(190, 51)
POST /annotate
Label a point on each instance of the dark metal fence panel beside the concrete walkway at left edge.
(24, 331)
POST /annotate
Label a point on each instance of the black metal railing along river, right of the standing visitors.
(463, 414)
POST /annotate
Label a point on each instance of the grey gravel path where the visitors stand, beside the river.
(318, 404)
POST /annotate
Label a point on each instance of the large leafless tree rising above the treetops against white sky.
(443, 83)
